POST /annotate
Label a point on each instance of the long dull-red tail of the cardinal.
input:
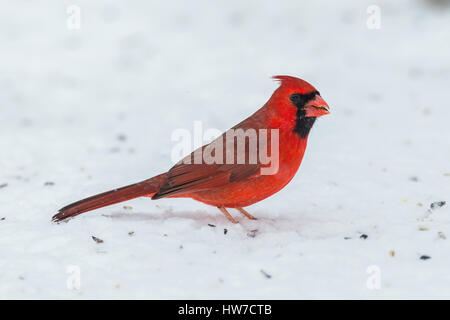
(145, 188)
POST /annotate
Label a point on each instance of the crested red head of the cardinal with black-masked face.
(298, 93)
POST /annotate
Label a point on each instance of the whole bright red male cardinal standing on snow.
(291, 110)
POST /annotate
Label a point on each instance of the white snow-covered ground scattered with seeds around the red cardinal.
(88, 110)
